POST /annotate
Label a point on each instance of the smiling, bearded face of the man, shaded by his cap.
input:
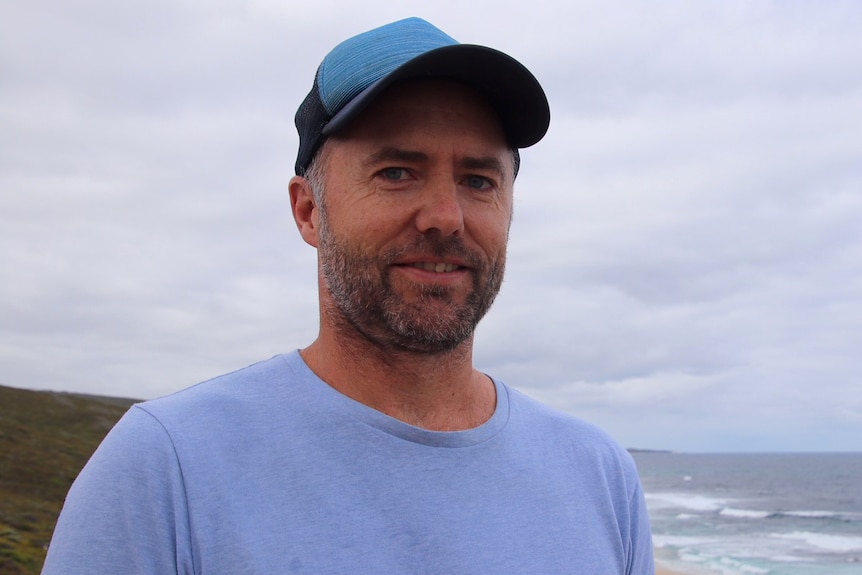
(415, 218)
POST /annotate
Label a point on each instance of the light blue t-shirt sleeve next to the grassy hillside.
(127, 511)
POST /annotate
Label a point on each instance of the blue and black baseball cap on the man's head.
(359, 69)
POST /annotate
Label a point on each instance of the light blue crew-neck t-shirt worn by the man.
(269, 470)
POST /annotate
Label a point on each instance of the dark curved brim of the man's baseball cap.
(511, 89)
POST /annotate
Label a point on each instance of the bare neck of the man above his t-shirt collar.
(439, 391)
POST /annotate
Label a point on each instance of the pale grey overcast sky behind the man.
(685, 266)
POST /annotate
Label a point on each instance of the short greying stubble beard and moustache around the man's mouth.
(362, 290)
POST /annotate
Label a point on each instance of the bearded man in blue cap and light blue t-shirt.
(379, 448)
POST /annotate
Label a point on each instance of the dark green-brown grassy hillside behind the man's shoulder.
(45, 440)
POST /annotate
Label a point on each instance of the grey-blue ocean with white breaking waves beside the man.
(751, 514)
